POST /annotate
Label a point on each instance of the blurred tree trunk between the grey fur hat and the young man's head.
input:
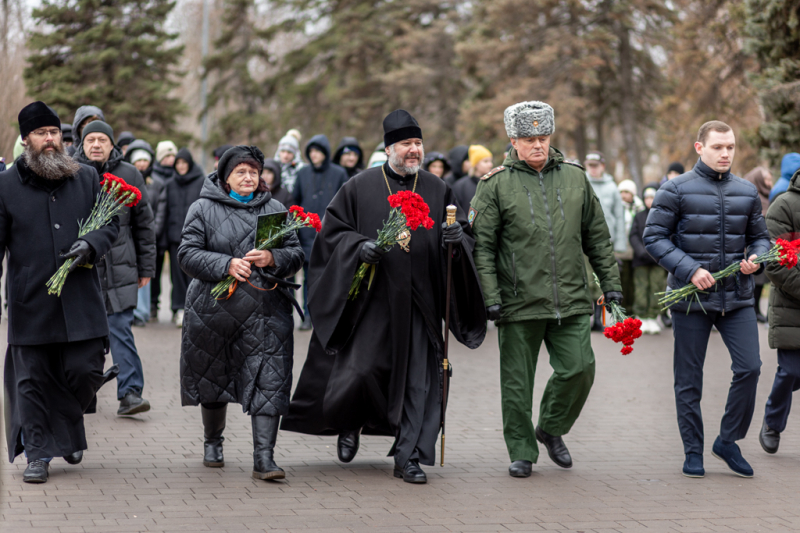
(627, 107)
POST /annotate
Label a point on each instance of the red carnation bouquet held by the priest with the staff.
(409, 211)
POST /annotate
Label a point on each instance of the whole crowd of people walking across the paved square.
(539, 245)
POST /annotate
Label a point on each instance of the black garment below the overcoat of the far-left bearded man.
(48, 389)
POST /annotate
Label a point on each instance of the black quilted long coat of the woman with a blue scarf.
(241, 349)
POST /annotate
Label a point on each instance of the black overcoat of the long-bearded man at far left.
(36, 226)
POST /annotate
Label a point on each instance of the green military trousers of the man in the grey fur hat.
(571, 356)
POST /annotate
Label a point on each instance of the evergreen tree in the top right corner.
(774, 30)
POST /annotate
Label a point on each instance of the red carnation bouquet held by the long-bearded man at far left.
(114, 195)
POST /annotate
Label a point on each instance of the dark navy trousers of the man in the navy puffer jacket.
(739, 331)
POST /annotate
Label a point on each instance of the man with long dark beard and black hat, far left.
(56, 345)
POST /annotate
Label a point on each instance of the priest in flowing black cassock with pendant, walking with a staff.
(374, 364)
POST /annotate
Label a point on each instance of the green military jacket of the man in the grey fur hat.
(532, 230)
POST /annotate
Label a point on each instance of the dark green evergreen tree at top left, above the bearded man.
(114, 54)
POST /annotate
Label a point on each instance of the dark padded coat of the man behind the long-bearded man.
(133, 254)
